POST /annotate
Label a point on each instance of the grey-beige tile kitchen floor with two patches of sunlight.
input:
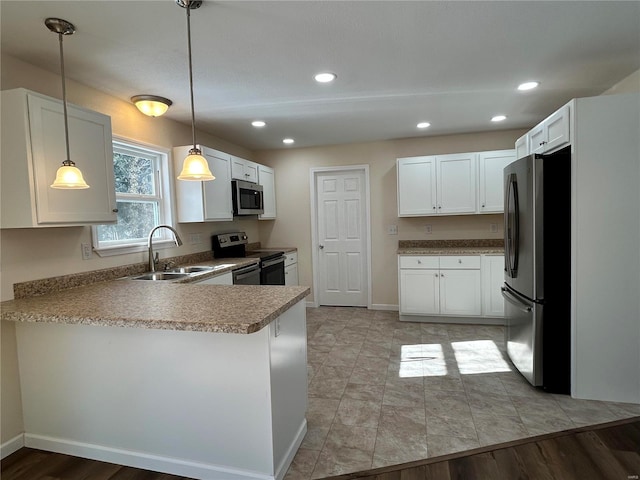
(383, 392)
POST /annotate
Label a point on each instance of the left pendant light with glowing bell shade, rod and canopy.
(68, 175)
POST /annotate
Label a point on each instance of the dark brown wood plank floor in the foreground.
(602, 452)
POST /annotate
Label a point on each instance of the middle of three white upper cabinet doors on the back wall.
(456, 183)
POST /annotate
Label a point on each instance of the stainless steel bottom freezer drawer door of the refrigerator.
(523, 335)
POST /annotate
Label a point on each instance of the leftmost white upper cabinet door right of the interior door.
(416, 186)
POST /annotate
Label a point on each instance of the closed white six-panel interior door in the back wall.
(342, 243)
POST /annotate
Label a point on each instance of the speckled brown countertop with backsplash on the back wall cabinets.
(451, 247)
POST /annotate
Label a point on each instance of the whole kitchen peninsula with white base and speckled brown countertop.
(204, 381)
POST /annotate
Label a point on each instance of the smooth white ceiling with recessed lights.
(453, 64)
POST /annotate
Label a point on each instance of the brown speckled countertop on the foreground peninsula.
(160, 305)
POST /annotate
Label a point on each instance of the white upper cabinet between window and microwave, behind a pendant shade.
(204, 201)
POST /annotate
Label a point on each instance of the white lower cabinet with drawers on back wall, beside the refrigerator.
(455, 286)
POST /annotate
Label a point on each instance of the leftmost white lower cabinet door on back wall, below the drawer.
(419, 292)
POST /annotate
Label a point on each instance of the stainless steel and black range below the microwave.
(233, 245)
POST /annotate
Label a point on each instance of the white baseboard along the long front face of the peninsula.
(157, 463)
